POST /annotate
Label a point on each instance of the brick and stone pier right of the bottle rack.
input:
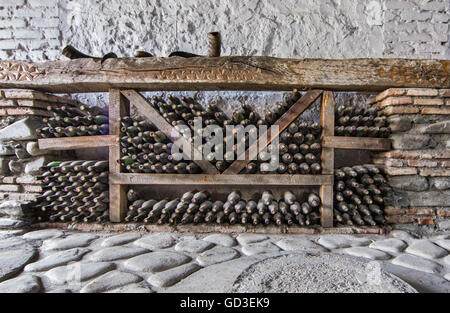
(418, 165)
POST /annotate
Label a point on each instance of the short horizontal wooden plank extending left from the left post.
(81, 142)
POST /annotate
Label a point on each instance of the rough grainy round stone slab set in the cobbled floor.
(318, 273)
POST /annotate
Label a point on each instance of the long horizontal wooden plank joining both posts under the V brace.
(232, 180)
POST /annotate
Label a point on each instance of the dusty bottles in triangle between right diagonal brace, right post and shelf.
(299, 152)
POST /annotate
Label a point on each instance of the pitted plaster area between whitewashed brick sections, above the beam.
(308, 28)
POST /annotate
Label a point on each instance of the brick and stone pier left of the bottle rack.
(21, 113)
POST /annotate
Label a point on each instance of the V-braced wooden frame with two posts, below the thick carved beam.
(231, 176)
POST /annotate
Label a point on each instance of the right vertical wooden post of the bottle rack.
(326, 191)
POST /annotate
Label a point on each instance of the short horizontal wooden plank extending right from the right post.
(363, 143)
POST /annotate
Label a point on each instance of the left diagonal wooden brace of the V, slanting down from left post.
(147, 110)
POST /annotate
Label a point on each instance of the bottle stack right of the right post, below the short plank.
(359, 193)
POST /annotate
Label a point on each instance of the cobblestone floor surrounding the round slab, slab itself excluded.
(53, 260)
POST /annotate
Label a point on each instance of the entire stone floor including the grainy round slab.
(52, 260)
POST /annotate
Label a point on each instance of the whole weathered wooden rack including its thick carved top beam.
(123, 77)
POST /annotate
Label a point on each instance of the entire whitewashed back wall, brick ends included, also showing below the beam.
(38, 29)
